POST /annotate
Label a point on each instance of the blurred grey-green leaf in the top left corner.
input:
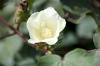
(9, 9)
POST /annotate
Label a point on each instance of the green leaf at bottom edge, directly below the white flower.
(49, 60)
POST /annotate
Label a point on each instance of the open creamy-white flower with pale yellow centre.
(45, 26)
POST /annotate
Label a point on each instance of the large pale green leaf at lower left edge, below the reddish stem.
(8, 48)
